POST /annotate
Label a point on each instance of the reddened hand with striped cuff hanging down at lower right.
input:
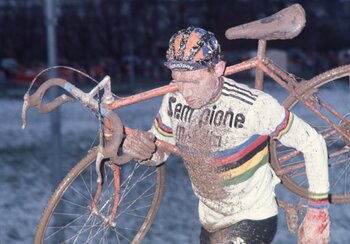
(315, 226)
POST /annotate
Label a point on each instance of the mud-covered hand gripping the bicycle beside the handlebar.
(139, 145)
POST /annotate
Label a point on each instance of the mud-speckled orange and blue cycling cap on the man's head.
(192, 49)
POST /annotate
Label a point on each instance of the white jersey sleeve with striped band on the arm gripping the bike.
(162, 129)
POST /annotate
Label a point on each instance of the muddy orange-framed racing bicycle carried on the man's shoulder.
(103, 213)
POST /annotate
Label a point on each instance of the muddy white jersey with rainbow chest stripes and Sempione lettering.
(234, 180)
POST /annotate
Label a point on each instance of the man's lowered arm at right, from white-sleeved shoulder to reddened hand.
(291, 131)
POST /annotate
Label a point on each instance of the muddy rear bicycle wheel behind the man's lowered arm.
(296, 181)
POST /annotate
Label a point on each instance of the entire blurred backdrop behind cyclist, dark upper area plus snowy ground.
(127, 40)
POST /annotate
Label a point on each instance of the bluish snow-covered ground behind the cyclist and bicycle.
(27, 176)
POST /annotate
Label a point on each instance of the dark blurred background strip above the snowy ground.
(127, 39)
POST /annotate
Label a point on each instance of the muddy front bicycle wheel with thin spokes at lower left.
(100, 233)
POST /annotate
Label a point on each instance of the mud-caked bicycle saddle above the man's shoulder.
(285, 24)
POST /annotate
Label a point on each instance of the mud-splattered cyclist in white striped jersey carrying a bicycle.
(224, 127)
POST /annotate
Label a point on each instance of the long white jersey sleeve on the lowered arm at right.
(268, 117)
